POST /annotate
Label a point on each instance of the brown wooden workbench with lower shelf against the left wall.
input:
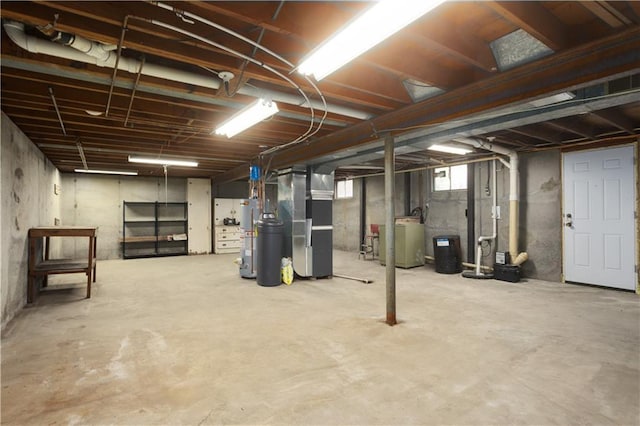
(40, 265)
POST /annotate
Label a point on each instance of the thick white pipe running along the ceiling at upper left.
(102, 55)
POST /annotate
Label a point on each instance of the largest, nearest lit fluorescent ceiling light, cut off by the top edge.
(367, 30)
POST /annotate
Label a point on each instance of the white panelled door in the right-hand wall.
(599, 224)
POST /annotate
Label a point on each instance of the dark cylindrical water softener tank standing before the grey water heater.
(269, 250)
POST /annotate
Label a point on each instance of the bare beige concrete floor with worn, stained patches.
(184, 340)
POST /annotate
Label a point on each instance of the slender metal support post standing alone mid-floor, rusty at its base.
(390, 250)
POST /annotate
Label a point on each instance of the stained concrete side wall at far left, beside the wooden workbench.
(27, 200)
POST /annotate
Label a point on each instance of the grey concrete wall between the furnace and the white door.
(540, 223)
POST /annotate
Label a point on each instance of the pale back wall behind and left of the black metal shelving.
(96, 200)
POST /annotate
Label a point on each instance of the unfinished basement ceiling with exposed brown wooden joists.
(465, 69)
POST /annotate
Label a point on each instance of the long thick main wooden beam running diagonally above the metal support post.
(573, 68)
